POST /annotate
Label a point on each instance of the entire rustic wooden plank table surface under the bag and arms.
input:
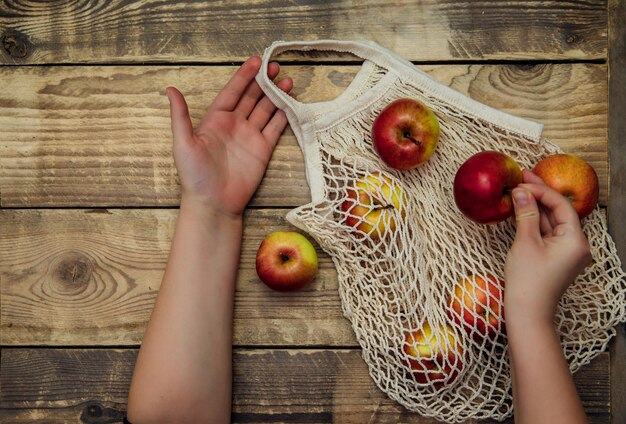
(89, 196)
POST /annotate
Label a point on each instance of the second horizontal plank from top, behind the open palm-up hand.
(99, 136)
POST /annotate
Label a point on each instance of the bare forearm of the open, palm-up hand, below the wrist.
(185, 360)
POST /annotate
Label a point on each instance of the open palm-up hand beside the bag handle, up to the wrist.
(222, 162)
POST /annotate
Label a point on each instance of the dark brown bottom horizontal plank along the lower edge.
(268, 386)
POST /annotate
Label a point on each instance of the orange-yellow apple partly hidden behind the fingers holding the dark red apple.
(573, 178)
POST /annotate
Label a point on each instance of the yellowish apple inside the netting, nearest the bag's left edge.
(371, 205)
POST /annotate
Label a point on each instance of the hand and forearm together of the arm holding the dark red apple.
(548, 252)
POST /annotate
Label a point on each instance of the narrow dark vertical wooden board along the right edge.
(617, 200)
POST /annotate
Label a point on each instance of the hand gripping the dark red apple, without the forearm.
(549, 251)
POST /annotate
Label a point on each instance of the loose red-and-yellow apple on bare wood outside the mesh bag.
(286, 261)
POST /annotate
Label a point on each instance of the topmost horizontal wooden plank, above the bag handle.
(183, 31)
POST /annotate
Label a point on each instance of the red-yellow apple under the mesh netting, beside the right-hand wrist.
(477, 304)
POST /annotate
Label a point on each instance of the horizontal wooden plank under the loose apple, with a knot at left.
(81, 277)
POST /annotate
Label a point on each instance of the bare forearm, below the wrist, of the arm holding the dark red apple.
(543, 388)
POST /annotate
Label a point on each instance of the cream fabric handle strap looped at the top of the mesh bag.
(362, 49)
